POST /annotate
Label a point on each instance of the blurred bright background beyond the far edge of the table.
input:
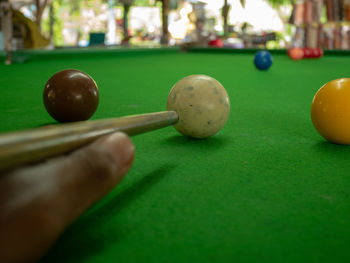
(272, 24)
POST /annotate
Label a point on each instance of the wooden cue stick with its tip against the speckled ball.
(31, 146)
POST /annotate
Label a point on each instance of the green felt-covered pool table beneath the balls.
(266, 188)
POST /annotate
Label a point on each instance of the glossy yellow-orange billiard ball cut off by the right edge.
(330, 111)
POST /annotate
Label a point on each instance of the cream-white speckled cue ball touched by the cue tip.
(202, 104)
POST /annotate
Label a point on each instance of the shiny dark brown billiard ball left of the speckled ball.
(71, 95)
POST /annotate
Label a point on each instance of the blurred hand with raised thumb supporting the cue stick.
(38, 203)
